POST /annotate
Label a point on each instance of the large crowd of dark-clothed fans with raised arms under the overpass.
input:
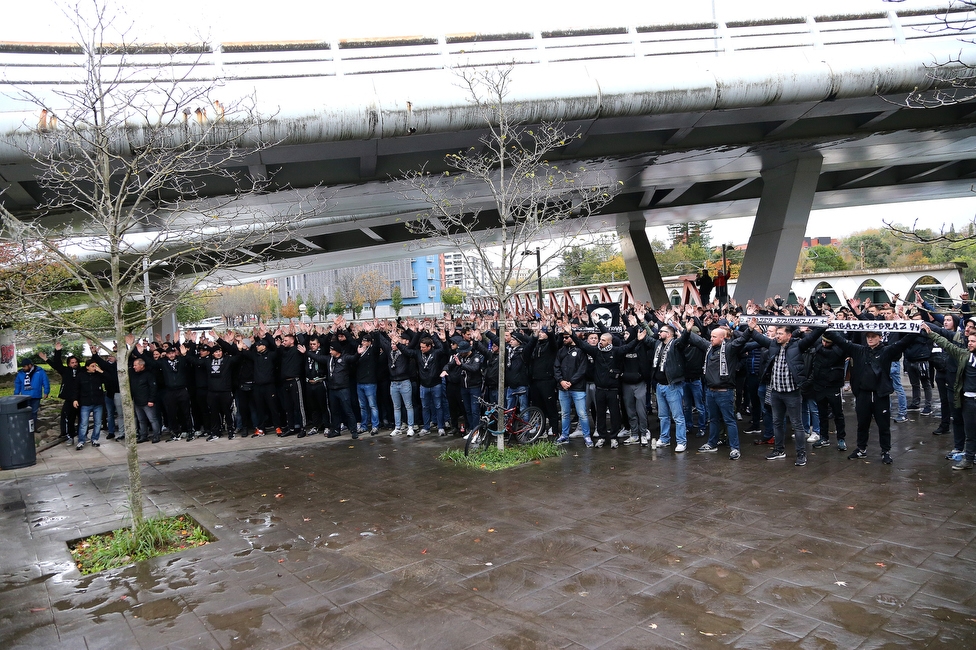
(770, 368)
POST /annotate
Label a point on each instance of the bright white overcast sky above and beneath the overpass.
(244, 20)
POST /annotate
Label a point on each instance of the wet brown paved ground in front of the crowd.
(377, 544)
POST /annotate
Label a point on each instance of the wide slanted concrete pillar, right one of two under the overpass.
(777, 234)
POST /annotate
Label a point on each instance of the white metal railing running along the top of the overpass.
(54, 63)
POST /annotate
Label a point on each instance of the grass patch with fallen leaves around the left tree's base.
(155, 537)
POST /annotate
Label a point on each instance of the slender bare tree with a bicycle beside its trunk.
(506, 194)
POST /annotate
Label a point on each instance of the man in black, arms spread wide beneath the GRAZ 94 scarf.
(871, 386)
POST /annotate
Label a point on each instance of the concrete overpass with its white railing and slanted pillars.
(725, 118)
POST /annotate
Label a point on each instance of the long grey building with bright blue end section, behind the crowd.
(419, 279)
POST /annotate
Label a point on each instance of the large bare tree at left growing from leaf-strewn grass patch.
(125, 153)
